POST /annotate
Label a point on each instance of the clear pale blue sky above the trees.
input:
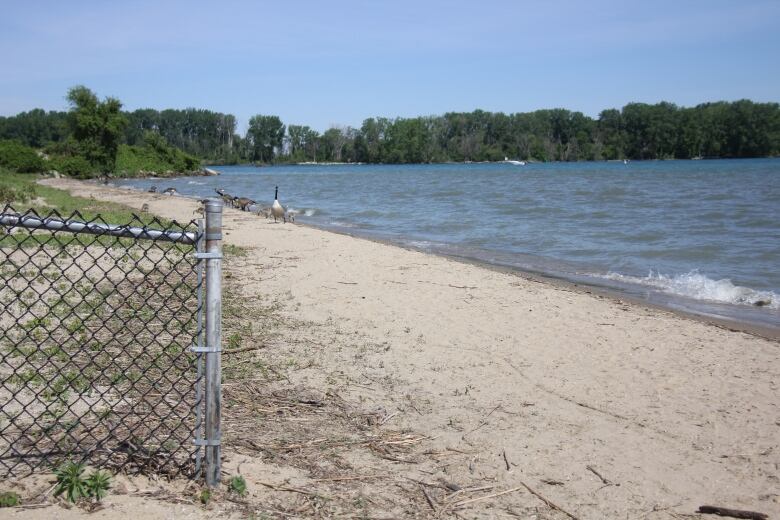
(339, 62)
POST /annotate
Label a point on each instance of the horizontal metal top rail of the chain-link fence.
(31, 220)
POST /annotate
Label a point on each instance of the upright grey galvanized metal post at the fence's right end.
(213, 320)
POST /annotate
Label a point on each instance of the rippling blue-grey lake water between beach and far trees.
(702, 236)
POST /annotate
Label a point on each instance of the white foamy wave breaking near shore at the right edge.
(699, 287)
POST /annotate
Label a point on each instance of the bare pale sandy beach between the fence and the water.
(613, 410)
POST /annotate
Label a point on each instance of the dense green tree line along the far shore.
(637, 131)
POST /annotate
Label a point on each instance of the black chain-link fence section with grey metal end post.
(105, 347)
